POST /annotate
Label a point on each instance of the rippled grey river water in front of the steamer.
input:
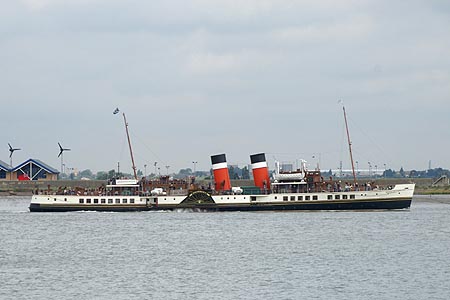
(187, 255)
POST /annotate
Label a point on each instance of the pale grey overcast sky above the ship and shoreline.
(202, 77)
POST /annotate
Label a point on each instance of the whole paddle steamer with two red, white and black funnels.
(298, 190)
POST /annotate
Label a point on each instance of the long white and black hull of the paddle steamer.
(400, 192)
